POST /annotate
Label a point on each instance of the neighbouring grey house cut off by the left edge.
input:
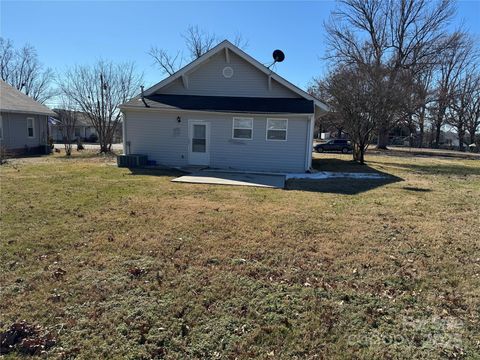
(23, 122)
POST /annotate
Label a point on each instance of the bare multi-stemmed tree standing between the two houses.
(98, 91)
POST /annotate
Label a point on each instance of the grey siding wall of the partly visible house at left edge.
(15, 131)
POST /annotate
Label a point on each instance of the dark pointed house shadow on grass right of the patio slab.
(346, 186)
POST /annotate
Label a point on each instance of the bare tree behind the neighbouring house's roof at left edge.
(22, 69)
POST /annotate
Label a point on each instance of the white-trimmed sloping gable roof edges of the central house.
(221, 47)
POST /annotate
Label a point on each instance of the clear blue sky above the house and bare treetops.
(67, 32)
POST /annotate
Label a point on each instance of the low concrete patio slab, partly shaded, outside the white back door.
(236, 179)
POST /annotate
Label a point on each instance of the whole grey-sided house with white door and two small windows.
(224, 110)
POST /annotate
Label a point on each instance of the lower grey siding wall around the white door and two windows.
(164, 140)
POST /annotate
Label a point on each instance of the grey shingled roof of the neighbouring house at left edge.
(12, 100)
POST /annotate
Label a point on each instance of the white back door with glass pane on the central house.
(199, 142)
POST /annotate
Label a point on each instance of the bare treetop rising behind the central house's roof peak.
(197, 43)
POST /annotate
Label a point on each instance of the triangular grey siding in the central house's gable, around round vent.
(208, 80)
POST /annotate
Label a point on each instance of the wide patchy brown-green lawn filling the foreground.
(115, 264)
